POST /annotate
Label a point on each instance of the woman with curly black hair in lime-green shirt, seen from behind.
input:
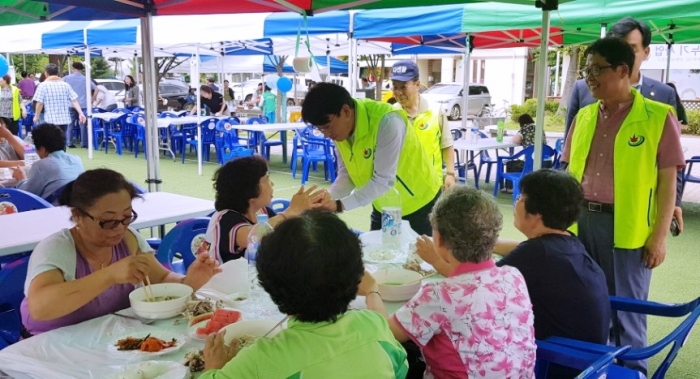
(311, 266)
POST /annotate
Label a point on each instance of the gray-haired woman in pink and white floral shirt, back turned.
(478, 321)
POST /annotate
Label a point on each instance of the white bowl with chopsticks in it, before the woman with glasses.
(160, 310)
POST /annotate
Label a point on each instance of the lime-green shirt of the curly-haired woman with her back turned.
(358, 345)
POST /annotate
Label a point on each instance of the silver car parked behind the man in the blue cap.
(449, 97)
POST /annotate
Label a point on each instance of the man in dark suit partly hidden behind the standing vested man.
(638, 36)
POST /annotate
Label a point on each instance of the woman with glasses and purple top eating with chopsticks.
(89, 270)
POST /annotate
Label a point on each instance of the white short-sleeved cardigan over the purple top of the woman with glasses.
(58, 252)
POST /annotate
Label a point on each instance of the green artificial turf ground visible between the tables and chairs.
(674, 281)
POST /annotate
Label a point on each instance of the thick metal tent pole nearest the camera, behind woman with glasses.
(150, 97)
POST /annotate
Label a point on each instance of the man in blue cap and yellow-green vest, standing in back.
(431, 125)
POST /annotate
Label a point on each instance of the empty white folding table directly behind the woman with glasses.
(23, 231)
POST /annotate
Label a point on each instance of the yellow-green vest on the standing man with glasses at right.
(635, 166)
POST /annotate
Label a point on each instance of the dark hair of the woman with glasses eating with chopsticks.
(90, 186)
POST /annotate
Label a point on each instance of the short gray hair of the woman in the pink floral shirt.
(469, 222)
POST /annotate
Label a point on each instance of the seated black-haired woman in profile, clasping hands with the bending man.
(244, 191)
